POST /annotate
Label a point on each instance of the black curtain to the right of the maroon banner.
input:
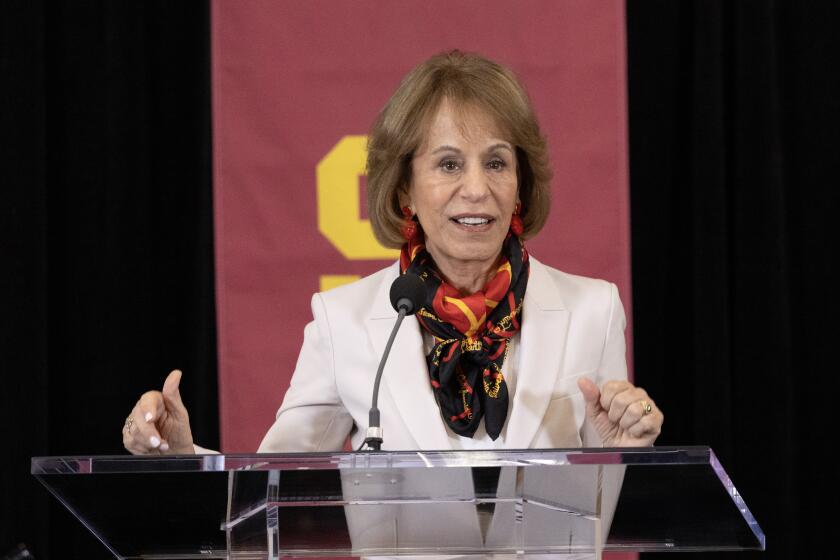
(734, 166)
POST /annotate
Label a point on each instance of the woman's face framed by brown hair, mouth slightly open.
(463, 188)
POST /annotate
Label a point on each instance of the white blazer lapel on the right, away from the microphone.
(545, 322)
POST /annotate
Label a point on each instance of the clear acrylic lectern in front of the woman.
(567, 503)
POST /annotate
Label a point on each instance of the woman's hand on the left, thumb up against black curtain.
(159, 423)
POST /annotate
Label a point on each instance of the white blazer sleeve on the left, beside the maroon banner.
(312, 416)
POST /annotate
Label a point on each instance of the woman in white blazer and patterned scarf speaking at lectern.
(505, 352)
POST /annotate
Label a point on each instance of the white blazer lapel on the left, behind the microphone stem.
(405, 377)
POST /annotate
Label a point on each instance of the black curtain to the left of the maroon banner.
(107, 265)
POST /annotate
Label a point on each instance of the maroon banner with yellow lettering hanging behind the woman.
(296, 86)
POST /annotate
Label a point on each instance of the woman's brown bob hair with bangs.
(468, 81)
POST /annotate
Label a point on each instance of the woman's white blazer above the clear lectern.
(571, 326)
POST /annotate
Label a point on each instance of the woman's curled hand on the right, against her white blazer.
(622, 414)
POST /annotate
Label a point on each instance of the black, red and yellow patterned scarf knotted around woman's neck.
(471, 335)
